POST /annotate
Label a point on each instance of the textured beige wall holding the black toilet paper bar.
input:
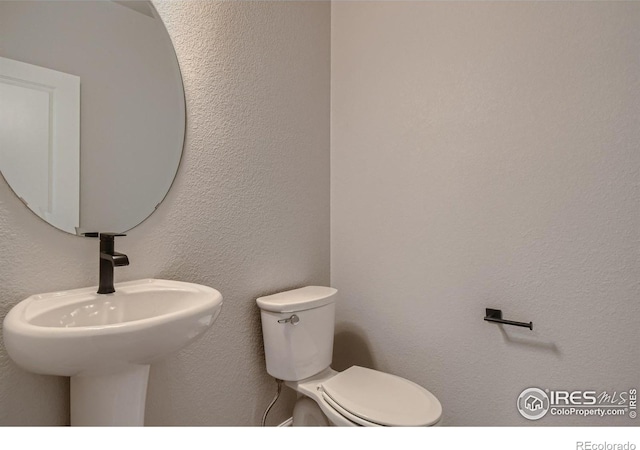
(485, 154)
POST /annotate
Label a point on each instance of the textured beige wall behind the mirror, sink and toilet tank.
(248, 213)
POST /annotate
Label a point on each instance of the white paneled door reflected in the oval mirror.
(40, 140)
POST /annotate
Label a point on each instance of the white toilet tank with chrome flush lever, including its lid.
(297, 328)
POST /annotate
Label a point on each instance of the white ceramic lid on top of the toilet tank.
(298, 299)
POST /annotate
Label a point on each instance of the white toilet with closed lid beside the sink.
(297, 328)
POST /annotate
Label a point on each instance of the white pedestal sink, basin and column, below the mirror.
(106, 342)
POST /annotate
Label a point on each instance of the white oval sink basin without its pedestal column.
(78, 331)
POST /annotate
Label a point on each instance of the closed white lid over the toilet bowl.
(381, 398)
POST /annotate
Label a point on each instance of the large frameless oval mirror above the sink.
(92, 111)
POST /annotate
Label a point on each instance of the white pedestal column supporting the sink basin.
(115, 399)
